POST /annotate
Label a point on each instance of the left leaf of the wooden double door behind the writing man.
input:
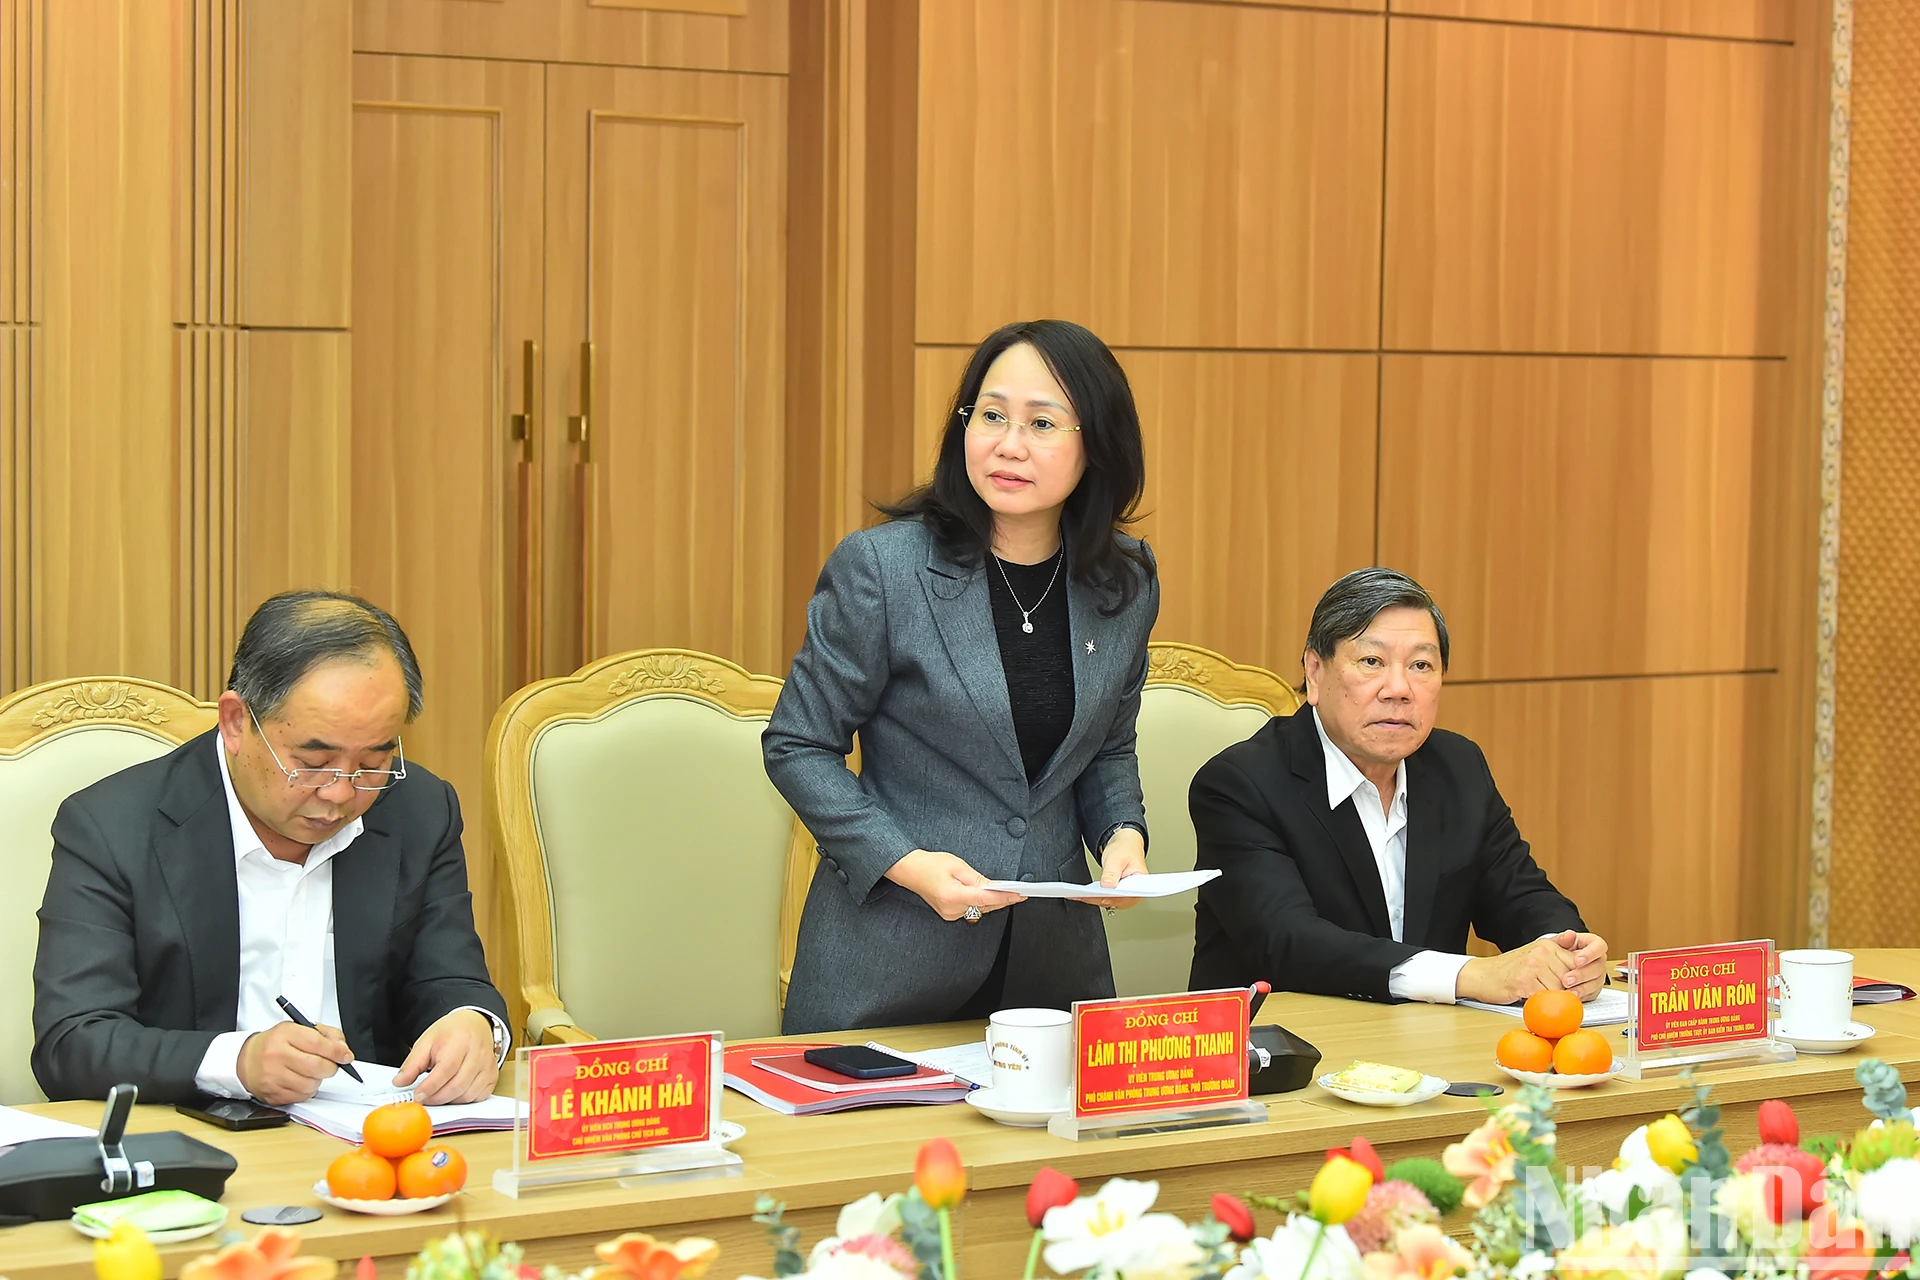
(446, 295)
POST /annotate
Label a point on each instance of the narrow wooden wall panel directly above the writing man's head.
(297, 465)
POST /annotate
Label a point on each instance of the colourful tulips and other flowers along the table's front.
(1671, 1206)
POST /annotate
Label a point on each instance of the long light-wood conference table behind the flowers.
(819, 1164)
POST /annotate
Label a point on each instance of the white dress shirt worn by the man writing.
(287, 941)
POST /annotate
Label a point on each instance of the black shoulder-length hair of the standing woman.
(1107, 496)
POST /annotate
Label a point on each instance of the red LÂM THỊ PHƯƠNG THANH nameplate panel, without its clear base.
(1159, 1053)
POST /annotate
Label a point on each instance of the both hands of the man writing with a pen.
(450, 1062)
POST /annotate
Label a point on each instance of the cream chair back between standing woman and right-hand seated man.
(1195, 705)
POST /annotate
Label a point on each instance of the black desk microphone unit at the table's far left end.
(43, 1181)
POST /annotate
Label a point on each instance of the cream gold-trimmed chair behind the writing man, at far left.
(57, 740)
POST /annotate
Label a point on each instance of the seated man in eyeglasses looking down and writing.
(289, 853)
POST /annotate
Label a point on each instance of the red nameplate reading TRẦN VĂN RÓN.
(1696, 997)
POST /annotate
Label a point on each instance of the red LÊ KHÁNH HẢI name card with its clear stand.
(640, 1112)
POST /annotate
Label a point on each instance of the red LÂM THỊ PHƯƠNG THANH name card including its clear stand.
(1159, 1066)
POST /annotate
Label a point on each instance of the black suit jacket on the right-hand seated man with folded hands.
(1301, 901)
